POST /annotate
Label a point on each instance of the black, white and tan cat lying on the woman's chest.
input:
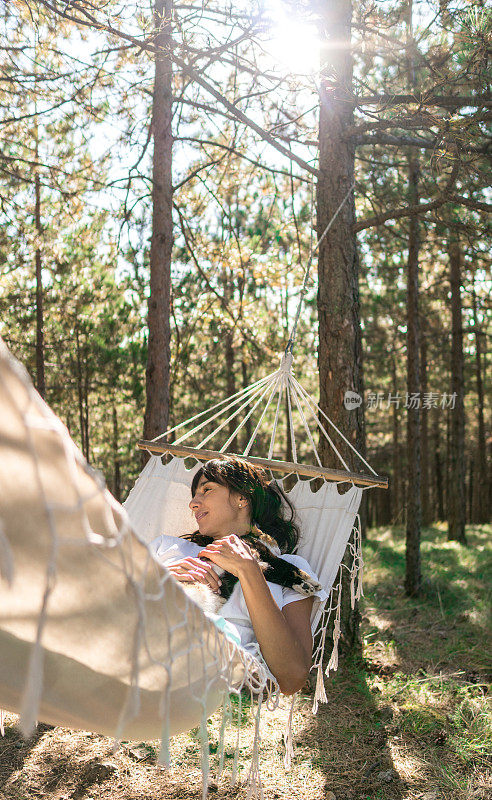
(274, 568)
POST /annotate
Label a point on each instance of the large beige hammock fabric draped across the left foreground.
(94, 633)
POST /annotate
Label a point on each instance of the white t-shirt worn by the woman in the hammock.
(168, 549)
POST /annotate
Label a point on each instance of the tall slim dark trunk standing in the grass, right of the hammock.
(413, 576)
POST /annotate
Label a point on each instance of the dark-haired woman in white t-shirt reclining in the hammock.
(228, 497)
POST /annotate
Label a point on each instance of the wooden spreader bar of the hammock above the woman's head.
(286, 467)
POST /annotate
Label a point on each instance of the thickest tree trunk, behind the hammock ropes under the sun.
(339, 353)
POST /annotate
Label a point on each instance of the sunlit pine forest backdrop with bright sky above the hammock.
(249, 175)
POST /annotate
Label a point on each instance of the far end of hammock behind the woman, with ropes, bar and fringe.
(158, 503)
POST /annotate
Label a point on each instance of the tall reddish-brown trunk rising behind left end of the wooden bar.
(159, 352)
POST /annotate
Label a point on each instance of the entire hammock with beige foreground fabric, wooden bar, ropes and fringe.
(94, 633)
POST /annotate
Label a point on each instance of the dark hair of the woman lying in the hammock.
(266, 500)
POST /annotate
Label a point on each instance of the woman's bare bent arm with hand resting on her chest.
(284, 637)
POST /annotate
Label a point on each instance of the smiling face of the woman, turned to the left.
(218, 511)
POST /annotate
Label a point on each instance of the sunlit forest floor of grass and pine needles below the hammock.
(412, 721)
